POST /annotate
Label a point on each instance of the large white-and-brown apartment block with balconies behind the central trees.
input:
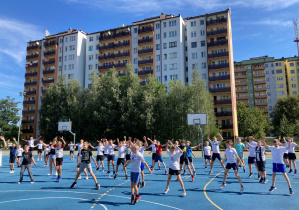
(166, 47)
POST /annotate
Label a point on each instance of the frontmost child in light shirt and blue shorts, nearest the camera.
(136, 160)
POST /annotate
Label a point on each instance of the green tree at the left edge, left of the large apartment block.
(9, 117)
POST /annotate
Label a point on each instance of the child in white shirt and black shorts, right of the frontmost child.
(174, 153)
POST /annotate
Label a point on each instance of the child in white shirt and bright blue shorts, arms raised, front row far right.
(277, 152)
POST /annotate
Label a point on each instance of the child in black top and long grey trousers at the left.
(26, 164)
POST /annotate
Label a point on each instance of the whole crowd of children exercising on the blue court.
(179, 152)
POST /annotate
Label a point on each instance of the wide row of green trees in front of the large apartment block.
(117, 106)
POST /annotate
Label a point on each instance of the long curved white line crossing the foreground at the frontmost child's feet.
(88, 194)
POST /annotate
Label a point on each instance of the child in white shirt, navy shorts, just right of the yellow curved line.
(230, 154)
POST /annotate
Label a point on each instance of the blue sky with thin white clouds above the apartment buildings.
(259, 27)
